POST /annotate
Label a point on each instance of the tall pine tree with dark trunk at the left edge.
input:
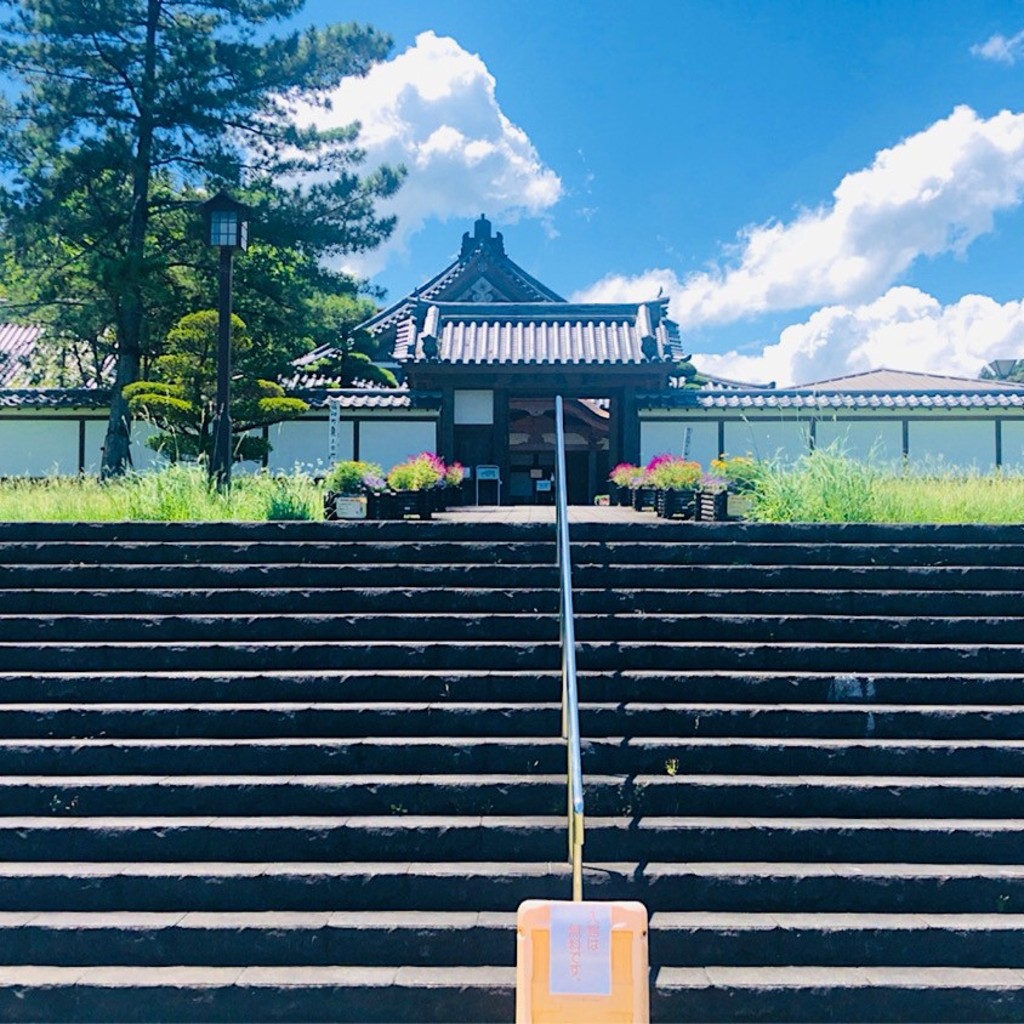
(123, 105)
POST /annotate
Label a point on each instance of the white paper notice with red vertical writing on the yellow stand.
(581, 950)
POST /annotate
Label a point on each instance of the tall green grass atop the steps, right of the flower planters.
(828, 487)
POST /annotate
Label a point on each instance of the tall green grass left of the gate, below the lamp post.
(178, 494)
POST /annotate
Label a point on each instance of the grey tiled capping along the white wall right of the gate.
(807, 400)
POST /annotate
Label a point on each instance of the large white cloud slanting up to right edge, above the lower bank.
(934, 193)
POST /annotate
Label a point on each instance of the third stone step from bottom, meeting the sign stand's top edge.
(501, 886)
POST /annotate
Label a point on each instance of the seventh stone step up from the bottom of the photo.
(473, 719)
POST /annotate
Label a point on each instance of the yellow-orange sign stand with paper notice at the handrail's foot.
(582, 962)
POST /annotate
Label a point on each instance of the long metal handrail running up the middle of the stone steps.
(571, 700)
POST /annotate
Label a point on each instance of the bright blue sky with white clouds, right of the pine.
(820, 188)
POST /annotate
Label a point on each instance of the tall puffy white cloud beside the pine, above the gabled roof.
(434, 109)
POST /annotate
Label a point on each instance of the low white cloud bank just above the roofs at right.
(906, 329)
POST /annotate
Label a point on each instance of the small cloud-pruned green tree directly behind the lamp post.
(183, 404)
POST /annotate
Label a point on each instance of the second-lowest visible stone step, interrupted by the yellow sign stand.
(479, 938)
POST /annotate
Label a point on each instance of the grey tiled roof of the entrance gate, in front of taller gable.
(540, 333)
